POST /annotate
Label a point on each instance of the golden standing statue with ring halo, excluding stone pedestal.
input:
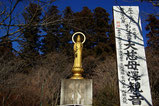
(77, 67)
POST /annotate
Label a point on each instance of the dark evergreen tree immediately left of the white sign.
(103, 36)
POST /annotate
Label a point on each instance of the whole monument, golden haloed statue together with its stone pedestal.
(77, 91)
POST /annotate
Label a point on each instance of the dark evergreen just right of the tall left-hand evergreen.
(52, 28)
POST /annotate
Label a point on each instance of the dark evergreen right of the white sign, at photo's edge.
(153, 35)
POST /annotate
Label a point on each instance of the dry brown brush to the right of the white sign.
(153, 69)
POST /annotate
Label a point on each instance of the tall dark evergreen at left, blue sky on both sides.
(30, 45)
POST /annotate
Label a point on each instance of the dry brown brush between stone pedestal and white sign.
(105, 83)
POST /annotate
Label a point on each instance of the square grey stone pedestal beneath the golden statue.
(76, 92)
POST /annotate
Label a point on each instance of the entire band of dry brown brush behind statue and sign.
(40, 86)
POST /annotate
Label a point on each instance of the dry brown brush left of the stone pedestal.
(39, 87)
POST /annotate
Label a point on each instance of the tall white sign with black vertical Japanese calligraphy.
(131, 62)
